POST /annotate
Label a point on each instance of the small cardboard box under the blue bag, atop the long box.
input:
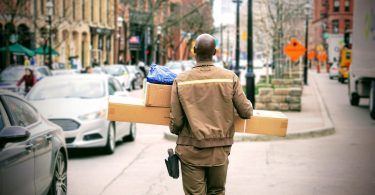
(157, 95)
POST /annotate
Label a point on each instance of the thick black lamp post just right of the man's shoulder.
(250, 76)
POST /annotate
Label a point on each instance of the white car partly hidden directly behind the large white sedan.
(119, 72)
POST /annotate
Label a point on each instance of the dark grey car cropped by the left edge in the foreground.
(33, 154)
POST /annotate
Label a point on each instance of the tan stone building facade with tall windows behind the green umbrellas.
(82, 30)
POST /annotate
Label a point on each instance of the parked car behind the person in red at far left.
(10, 76)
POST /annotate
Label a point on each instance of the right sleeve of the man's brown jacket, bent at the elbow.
(241, 103)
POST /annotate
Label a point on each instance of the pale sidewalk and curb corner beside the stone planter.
(312, 121)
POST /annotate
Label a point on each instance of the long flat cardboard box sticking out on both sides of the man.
(134, 110)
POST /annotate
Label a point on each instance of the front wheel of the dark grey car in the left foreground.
(59, 181)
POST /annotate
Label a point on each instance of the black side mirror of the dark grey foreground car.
(13, 134)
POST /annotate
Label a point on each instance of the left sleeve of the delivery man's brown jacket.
(177, 114)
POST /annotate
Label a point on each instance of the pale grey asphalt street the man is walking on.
(343, 163)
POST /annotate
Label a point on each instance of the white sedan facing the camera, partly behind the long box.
(80, 106)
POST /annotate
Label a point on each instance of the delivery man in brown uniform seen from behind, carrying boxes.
(203, 104)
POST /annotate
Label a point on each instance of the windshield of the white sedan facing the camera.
(77, 88)
